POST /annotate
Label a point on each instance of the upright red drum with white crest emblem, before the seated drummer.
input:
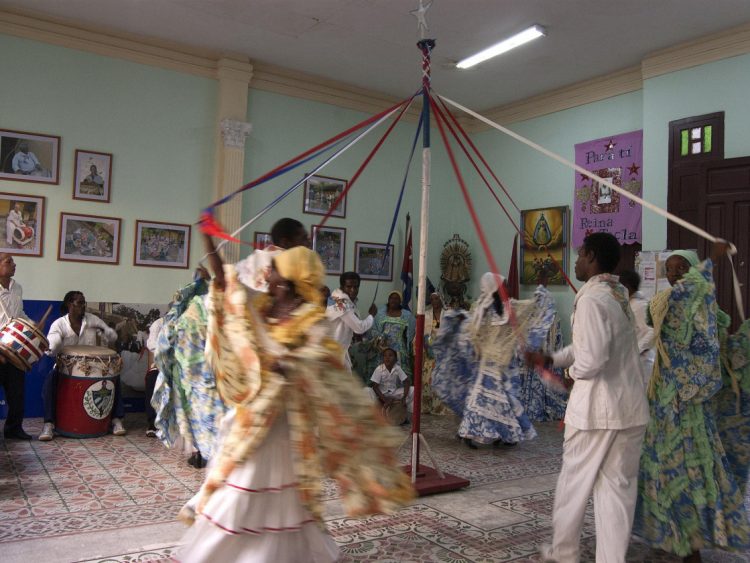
(86, 390)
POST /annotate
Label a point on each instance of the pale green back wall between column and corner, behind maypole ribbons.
(284, 127)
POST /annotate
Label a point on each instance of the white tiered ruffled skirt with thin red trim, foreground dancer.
(257, 516)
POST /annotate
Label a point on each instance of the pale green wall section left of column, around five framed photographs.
(158, 124)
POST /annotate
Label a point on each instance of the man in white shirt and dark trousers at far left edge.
(11, 378)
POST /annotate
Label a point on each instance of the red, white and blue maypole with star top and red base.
(426, 480)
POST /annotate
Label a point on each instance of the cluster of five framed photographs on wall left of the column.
(35, 158)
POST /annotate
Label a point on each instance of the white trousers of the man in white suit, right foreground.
(604, 462)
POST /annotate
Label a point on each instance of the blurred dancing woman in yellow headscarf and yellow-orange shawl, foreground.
(299, 416)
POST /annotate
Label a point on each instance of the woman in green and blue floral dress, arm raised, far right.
(688, 499)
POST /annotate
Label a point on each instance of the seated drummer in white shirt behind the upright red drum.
(76, 328)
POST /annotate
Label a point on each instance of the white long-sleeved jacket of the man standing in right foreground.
(609, 391)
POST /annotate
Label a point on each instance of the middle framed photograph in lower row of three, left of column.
(89, 238)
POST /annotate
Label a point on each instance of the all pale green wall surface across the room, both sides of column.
(160, 126)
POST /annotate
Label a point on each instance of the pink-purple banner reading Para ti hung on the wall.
(598, 208)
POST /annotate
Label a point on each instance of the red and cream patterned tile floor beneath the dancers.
(115, 499)
